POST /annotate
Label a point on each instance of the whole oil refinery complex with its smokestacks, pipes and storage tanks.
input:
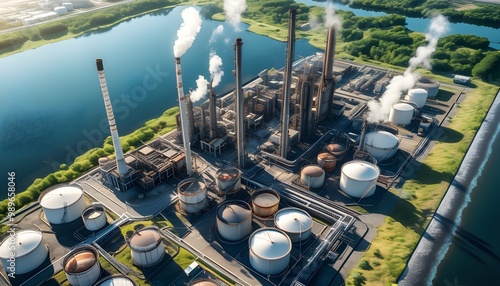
(256, 185)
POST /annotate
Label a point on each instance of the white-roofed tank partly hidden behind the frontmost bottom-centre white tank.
(295, 222)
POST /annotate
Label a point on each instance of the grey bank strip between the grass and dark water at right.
(433, 244)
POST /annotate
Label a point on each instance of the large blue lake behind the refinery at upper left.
(52, 108)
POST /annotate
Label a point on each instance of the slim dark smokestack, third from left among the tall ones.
(240, 116)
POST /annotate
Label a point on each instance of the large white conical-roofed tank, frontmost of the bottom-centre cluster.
(269, 250)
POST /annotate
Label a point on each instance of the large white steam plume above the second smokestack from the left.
(191, 25)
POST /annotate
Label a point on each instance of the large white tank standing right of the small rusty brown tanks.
(359, 178)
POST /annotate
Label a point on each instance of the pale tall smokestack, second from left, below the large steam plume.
(184, 123)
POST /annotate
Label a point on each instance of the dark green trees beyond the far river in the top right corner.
(480, 14)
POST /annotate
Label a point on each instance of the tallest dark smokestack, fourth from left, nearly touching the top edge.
(285, 110)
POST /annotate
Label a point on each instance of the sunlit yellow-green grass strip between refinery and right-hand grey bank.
(399, 234)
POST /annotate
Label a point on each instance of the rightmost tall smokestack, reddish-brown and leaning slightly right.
(325, 97)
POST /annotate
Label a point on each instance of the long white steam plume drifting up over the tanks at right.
(379, 110)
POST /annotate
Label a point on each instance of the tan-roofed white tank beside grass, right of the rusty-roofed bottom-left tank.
(146, 247)
